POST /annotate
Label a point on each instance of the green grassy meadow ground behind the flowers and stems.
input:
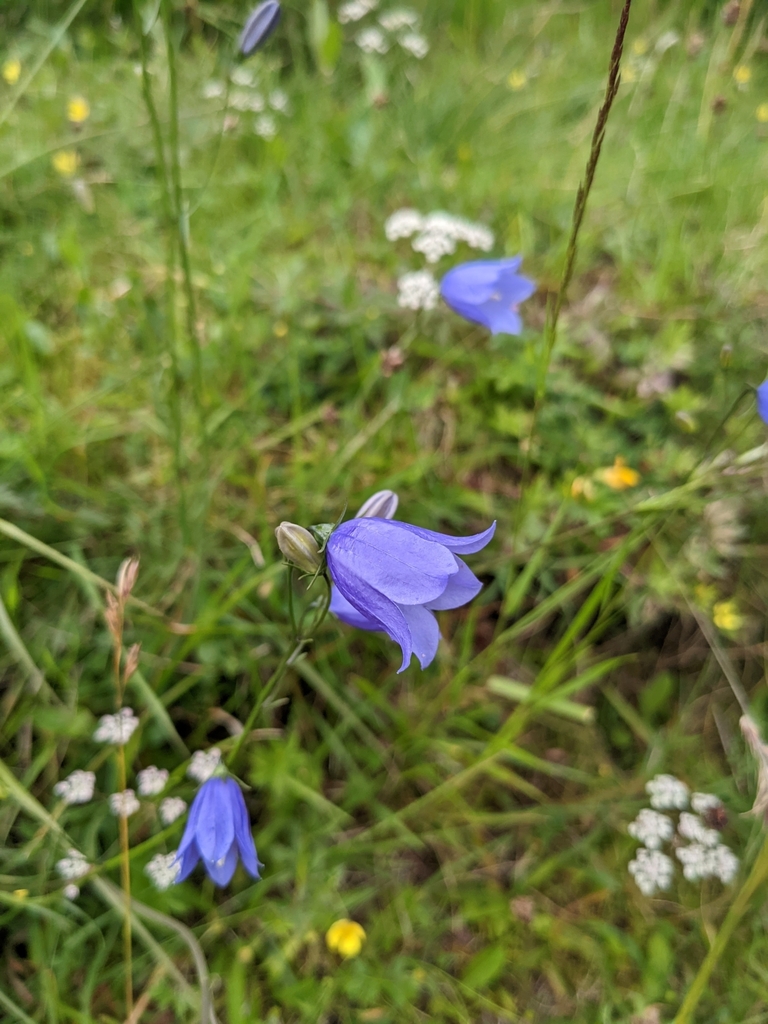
(483, 845)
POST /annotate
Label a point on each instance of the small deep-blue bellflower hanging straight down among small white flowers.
(217, 831)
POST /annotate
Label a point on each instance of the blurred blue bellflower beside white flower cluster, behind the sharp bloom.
(489, 292)
